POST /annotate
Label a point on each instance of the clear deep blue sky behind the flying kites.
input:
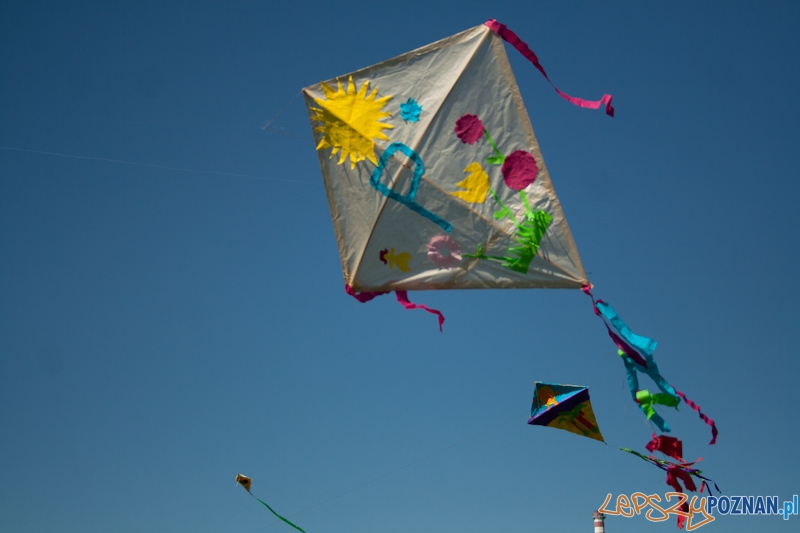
(163, 329)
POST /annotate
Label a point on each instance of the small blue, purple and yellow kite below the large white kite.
(564, 407)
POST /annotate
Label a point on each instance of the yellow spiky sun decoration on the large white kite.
(350, 121)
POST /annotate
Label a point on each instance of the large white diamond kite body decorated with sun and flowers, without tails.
(434, 176)
